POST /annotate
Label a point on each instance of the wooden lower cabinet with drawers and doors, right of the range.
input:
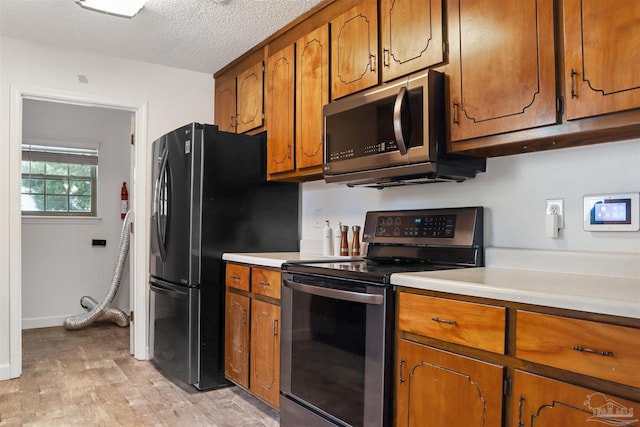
(559, 368)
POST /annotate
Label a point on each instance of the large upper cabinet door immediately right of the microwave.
(502, 65)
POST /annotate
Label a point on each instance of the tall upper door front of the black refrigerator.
(175, 220)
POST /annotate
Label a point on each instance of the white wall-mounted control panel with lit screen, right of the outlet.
(611, 212)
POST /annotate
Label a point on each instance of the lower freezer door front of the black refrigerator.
(174, 330)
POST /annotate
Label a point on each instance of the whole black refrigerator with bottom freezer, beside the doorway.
(210, 196)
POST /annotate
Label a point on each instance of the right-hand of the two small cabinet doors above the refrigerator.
(250, 93)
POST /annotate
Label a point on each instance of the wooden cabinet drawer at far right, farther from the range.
(592, 348)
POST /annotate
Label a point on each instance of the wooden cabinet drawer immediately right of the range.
(471, 324)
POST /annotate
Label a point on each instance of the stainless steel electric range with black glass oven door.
(338, 317)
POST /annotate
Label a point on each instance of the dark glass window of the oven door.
(328, 355)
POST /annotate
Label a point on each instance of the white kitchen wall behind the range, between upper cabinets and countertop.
(513, 191)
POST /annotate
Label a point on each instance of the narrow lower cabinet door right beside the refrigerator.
(237, 339)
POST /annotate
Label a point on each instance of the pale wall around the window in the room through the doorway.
(59, 265)
